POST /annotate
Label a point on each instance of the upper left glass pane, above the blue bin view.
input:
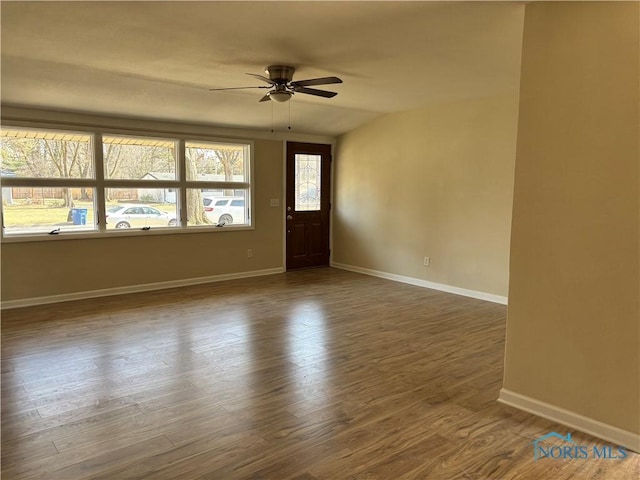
(46, 154)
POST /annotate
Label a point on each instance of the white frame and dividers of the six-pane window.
(99, 183)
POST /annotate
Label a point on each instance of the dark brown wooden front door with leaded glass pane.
(307, 204)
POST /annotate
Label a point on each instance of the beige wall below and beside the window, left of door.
(58, 267)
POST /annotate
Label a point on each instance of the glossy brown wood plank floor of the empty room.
(318, 374)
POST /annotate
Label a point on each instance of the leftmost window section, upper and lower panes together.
(48, 182)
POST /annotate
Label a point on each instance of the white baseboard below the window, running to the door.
(146, 287)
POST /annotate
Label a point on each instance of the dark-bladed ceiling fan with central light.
(283, 88)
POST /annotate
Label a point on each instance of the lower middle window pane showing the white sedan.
(141, 208)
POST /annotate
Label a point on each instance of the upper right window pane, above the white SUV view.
(209, 162)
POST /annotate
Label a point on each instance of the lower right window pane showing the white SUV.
(217, 207)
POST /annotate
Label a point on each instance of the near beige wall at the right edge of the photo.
(573, 336)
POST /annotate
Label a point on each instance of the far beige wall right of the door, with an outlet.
(435, 182)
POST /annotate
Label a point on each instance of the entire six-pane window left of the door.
(59, 182)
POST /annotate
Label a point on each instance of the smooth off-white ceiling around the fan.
(158, 59)
